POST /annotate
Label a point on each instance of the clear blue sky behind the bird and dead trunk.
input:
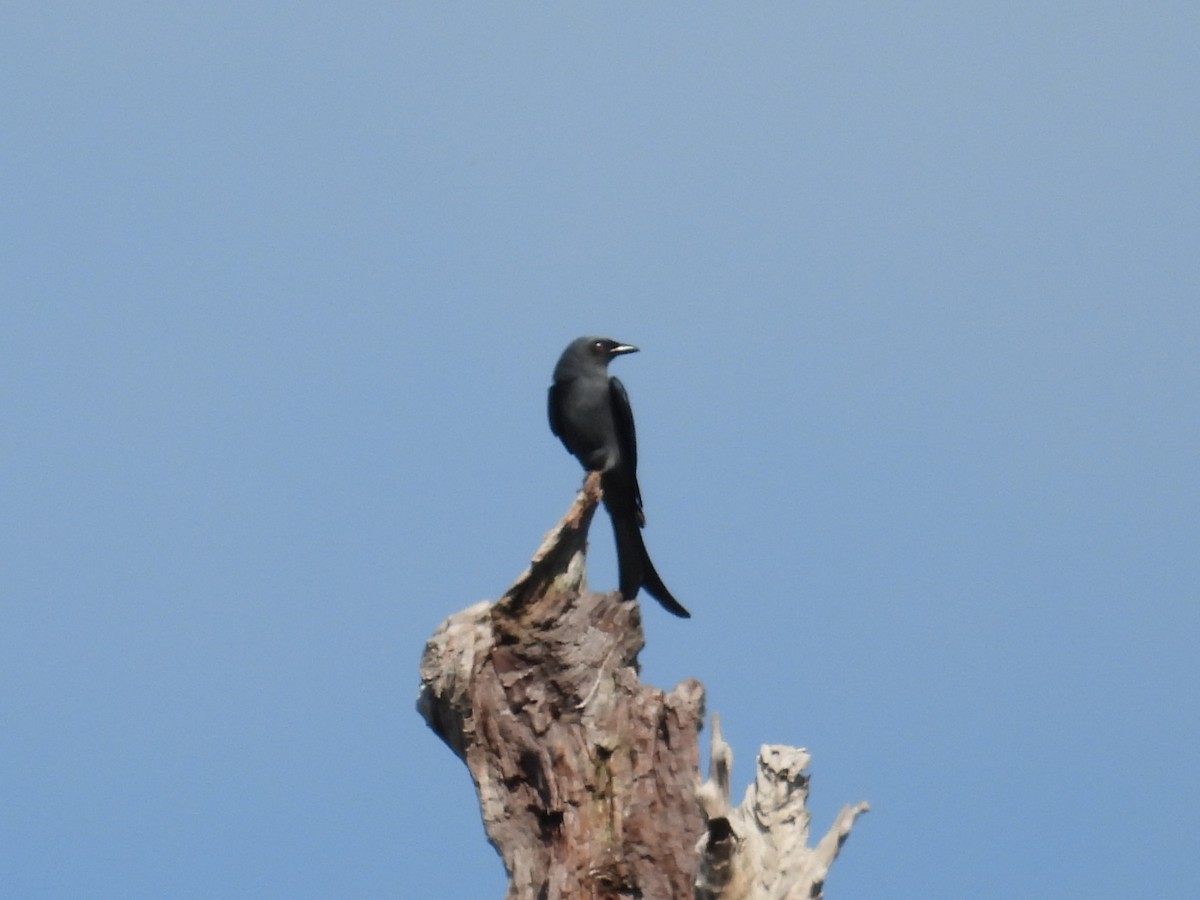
(283, 289)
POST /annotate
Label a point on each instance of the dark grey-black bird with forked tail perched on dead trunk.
(590, 413)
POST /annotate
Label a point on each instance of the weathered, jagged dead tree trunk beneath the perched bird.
(587, 779)
